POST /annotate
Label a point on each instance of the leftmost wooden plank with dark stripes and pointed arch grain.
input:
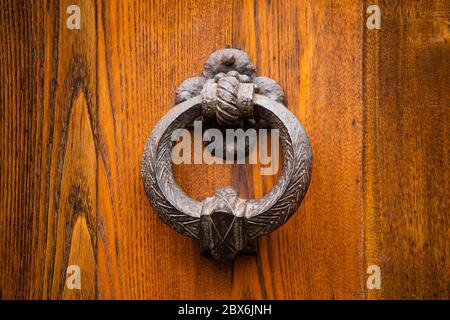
(48, 151)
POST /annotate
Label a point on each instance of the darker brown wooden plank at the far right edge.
(406, 79)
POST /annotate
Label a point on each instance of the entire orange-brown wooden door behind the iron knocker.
(77, 106)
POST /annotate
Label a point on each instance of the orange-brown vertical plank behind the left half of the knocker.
(146, 48)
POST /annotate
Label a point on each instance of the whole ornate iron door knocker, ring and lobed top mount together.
(228, 95)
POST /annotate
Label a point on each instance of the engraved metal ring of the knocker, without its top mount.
(225, 224)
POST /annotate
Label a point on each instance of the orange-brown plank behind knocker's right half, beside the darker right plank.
(317, 59)
